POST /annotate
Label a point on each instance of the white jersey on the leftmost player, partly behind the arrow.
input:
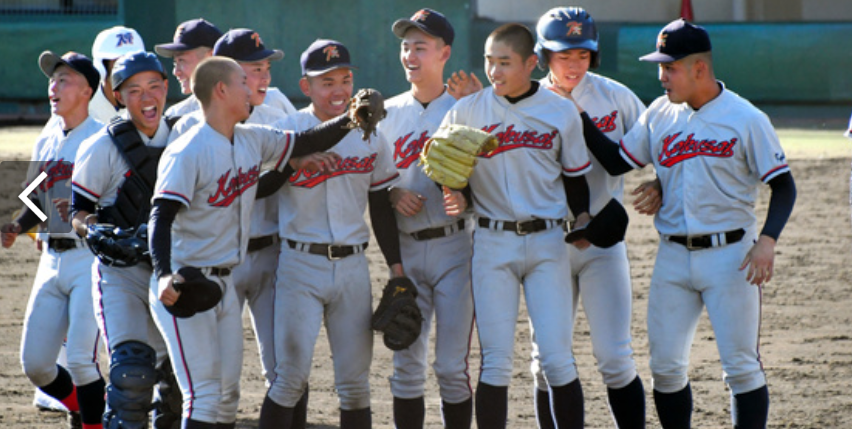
(55, 154)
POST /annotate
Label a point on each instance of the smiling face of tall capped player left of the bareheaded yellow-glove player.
(423, 56)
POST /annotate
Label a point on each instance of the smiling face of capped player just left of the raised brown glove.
(329, 92)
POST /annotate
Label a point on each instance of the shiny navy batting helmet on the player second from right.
(564, 28)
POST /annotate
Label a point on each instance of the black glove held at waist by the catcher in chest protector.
(116, 247)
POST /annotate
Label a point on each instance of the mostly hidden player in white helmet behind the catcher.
(108, 46)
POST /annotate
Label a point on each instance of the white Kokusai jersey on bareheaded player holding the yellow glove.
(533, 134)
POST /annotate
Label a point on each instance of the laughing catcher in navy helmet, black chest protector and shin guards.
(102, 187)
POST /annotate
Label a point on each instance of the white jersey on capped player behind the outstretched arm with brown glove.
(318, 208)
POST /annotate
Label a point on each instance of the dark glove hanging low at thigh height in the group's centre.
(398, 315)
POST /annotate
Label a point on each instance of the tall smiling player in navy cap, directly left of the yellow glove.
(435, 246)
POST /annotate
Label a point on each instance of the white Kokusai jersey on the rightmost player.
(709, 161)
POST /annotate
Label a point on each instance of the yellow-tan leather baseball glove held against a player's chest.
(450, 155)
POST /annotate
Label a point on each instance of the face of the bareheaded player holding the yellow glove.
(507, 71)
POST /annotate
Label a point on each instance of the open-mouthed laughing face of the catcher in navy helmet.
(144, 95)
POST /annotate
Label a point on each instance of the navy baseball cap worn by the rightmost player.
(677, 40)
